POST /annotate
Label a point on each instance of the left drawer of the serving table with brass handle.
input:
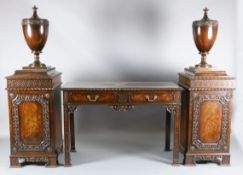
(93, 97)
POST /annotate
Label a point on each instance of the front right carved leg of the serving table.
(177, 120)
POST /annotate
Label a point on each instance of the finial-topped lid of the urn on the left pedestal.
(35, 19)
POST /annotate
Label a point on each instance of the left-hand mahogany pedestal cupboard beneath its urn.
(35, 116)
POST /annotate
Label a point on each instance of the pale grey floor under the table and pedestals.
(119, 153)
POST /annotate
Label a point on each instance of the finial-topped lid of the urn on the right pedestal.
(205, 21)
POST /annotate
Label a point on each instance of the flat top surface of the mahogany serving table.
(120, 86)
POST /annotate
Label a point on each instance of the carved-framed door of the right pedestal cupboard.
(211, 122)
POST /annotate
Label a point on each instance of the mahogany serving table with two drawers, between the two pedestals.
(122, 96)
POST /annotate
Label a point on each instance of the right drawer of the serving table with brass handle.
(152, 97)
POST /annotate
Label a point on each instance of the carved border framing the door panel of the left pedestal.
(19, 145)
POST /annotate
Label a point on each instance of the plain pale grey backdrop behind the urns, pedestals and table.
(119, 40)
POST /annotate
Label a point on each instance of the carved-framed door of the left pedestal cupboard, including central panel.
(31, 127)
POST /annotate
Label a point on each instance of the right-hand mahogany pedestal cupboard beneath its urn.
(206, 118)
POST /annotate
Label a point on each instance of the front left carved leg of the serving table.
(67, 160)
